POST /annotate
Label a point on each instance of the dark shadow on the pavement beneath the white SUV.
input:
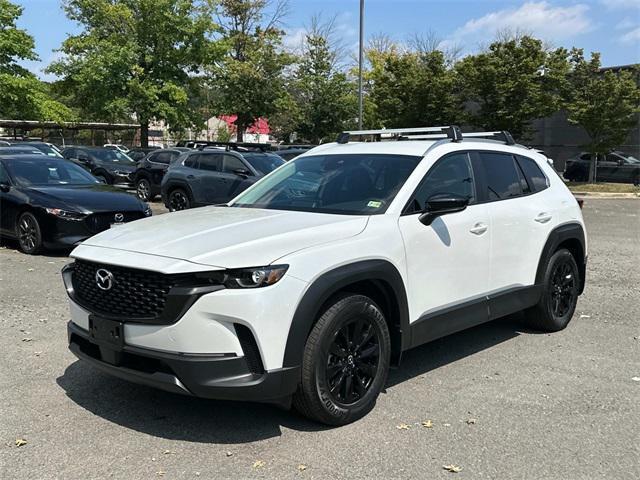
(178, 417)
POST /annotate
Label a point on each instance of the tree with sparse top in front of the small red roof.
(248, 81)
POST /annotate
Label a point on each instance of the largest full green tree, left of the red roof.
(135, 58)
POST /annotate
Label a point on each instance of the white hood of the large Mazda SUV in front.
(229, 237)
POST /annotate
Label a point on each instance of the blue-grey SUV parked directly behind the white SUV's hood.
(213, 175)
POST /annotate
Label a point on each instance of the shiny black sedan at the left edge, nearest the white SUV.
(53, 203)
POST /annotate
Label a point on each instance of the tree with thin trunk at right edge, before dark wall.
(605, 104)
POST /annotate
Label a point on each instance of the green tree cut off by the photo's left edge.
(22, 95)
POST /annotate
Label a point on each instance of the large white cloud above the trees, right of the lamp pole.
(538, 18)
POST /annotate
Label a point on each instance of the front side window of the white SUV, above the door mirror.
(452, 174)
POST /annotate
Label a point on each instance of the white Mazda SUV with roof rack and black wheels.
(311, 283)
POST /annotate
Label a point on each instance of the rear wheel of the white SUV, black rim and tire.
(560, 294)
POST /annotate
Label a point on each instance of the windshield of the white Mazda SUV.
(355, 184)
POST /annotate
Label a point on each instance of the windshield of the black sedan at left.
(27, 172)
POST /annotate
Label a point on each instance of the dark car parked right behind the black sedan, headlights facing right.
(109, 166)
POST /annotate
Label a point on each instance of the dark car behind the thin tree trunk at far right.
(617, 167)
